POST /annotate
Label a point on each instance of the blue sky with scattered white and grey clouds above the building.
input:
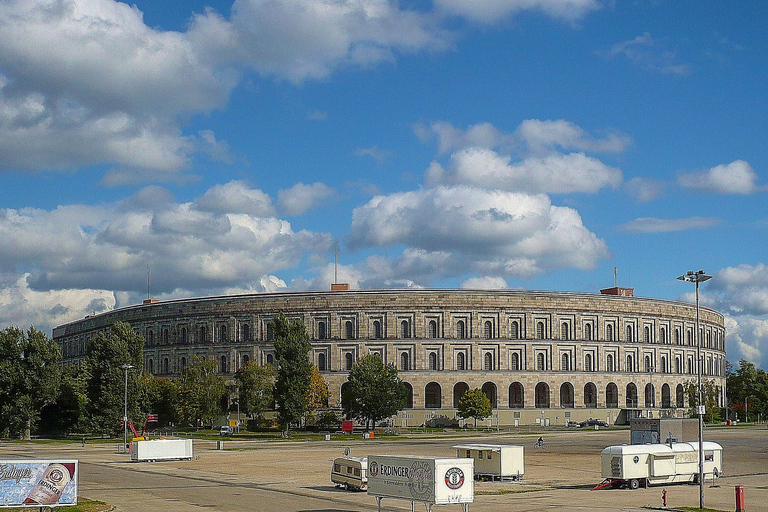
(516, 144)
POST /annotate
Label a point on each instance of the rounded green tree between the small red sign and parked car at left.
(201, 390)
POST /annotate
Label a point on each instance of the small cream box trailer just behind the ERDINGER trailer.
(495, 461)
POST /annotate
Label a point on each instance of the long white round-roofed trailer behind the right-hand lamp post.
(656, 464)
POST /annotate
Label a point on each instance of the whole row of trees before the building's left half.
(37, 396)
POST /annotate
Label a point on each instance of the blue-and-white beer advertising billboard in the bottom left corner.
(38, 483)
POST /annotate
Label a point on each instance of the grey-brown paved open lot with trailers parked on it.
(294, 476)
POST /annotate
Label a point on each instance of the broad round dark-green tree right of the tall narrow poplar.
(373, 391)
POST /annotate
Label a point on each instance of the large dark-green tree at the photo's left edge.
(29, 378)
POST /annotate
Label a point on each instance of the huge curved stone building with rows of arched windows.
(541, 357)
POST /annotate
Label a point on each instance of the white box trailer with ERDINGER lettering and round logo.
(428, 480)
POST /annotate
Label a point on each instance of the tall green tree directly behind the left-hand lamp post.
(107, 354)
